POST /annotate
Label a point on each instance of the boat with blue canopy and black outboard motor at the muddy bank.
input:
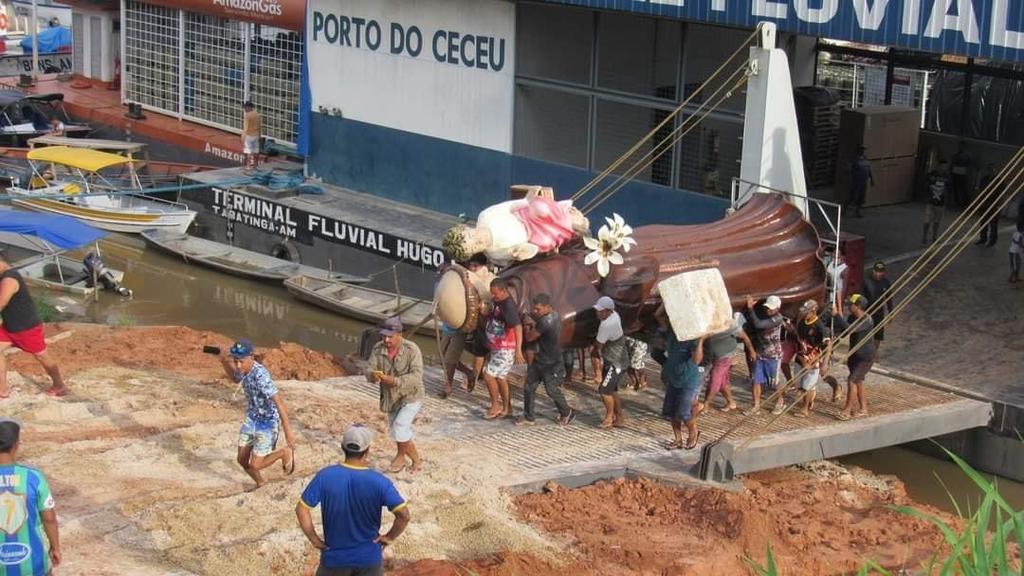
(46, 238)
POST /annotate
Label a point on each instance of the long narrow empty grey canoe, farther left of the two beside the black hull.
(238, 262)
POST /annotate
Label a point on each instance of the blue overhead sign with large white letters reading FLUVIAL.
(976, 28)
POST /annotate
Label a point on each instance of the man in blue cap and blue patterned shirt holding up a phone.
(267, 413)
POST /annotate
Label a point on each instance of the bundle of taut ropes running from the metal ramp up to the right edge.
(1014, 168)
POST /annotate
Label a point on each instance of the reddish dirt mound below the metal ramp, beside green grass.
(819, 522)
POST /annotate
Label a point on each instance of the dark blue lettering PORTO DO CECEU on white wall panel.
(446, 47)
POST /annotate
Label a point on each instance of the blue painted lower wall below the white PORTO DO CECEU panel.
(454, 179)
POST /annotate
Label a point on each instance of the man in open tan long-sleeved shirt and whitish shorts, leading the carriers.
(397, 365)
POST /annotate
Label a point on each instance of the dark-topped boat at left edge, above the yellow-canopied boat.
(25, 116)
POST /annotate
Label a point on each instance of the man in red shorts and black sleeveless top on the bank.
(23, 330)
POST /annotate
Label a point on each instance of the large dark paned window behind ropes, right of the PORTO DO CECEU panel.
(587, 96)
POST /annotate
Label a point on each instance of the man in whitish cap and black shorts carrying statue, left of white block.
(615, 360)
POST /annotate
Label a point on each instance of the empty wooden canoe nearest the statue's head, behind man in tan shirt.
(361, 303)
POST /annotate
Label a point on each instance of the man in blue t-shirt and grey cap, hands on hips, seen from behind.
(351, 497)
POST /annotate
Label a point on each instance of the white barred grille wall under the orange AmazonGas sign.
(226, 64)
